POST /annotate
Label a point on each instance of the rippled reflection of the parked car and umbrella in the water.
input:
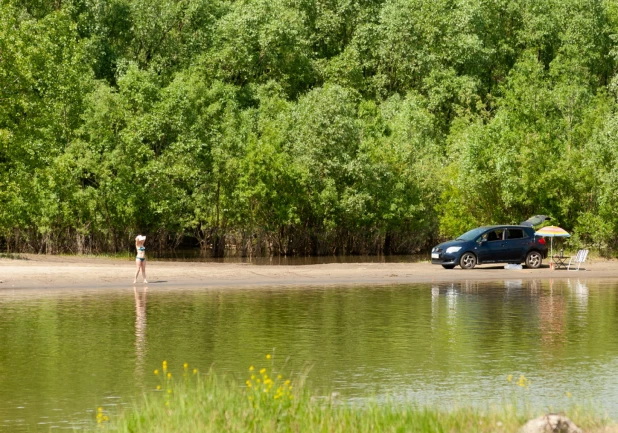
(543, 307)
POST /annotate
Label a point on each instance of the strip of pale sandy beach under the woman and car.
(42, 271)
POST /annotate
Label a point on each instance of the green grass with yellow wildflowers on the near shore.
(216, 403)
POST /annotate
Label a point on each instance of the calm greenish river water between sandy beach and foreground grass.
(63, 353)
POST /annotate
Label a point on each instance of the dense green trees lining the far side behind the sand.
(306, 126)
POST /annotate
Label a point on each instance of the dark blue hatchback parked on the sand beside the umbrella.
(492, 244)
